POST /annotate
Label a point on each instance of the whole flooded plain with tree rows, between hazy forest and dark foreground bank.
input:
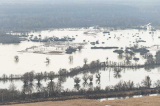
(108, 61)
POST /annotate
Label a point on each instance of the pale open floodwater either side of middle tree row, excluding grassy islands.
(36, 62)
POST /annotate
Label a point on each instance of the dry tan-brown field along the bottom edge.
(143, 101)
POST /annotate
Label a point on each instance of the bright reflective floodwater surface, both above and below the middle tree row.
(103, 77)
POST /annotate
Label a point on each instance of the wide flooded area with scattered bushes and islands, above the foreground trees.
(119, 48)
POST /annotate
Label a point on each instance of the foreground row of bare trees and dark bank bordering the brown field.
(56, 91)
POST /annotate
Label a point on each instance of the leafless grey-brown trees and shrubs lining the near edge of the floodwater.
(54, 90)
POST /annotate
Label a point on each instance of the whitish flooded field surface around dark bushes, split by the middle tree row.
(31, 60)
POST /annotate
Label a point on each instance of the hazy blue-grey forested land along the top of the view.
(40, 14)
